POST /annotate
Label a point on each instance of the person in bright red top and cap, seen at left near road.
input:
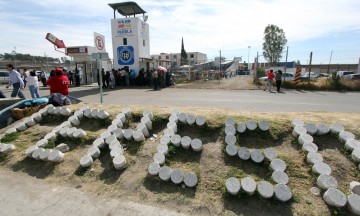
(59, 83)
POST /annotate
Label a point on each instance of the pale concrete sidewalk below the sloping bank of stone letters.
(28, 196)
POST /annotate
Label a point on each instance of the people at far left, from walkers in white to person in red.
(58, 82)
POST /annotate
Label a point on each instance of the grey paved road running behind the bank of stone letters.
(246, 100)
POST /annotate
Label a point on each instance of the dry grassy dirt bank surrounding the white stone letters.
(211, 165)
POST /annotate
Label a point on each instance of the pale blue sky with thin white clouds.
(328, 28)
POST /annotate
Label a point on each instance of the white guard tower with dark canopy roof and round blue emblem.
(130, 37)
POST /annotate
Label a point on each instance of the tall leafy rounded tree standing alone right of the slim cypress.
(274, 43)
